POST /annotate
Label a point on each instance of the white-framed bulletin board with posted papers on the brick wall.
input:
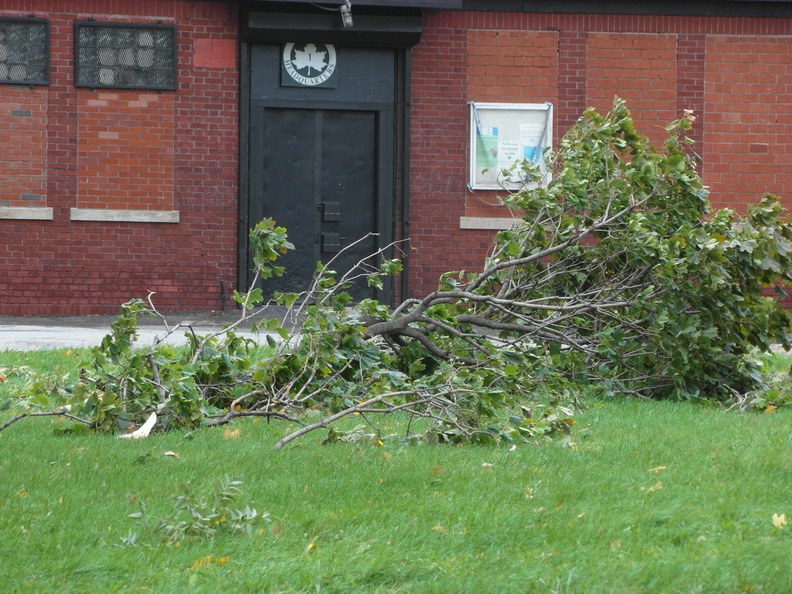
(504, 133)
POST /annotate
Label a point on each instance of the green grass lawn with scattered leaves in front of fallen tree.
(658, 497)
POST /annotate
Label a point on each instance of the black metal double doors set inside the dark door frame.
(316, 173)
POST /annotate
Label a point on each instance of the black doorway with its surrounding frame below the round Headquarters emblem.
(326, 163)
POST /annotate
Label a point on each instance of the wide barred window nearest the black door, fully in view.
(125, 56)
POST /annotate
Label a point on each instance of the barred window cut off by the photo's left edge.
(24, 51)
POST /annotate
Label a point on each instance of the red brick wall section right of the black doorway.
(733, 72)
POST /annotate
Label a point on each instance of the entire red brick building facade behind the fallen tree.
(109, 193)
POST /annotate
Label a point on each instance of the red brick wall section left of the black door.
(124, 149)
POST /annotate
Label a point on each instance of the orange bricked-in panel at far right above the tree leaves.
(748, 129)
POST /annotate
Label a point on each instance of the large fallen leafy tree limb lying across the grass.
(614, 279)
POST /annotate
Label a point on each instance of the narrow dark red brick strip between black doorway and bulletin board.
(438, 155)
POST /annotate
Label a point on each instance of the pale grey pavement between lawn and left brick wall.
(55, 332)
